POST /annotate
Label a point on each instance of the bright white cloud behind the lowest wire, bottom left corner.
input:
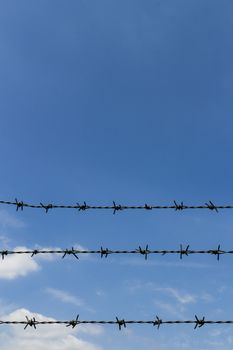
(52, 337)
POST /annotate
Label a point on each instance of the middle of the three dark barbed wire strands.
(105, 252)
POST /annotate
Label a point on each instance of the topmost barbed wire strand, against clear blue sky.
(20, 205)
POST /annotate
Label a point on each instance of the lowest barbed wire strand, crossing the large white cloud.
(32, 322)
